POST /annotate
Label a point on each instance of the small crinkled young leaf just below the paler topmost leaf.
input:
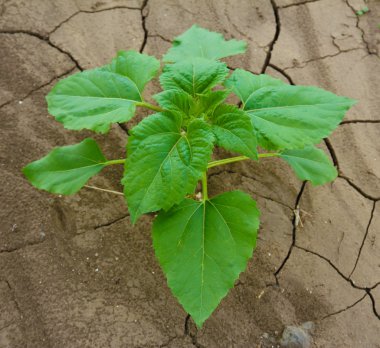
(194, 77)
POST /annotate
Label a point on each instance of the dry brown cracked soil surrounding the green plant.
(74, 272)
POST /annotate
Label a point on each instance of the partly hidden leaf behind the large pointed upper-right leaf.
(244, 84)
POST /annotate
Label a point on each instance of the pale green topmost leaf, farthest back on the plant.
(199, 42)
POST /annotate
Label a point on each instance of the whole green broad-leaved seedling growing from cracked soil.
(201, 244)
